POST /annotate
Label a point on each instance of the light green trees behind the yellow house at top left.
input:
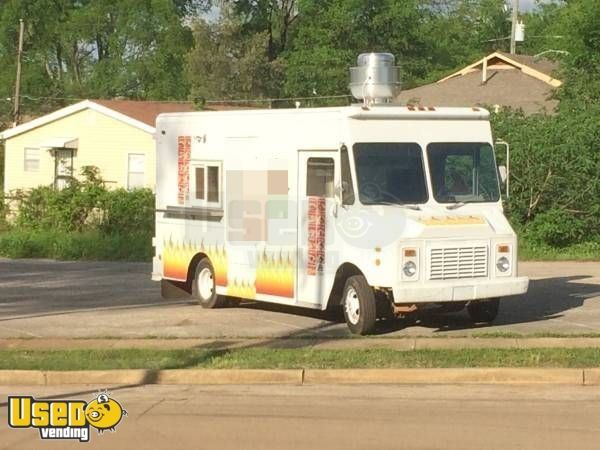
(86, 48)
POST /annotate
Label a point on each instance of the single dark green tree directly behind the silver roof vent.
(332, 33)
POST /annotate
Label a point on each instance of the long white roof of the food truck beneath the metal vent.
(359, 112)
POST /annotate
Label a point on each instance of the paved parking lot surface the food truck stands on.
(40, 298)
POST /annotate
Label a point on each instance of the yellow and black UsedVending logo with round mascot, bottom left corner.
(65, 419)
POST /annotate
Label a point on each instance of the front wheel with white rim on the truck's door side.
(363, 319)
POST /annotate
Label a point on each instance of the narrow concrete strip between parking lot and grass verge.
(407, 343)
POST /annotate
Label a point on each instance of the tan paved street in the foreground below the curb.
(335, 417)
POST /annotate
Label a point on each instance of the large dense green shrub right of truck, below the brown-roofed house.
(555, 173)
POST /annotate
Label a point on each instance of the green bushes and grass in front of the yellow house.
(83, 221)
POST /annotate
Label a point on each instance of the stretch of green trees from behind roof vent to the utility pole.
(428, 38)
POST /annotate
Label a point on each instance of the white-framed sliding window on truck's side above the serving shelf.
(205, 183)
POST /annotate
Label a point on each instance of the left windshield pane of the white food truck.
(390, 173)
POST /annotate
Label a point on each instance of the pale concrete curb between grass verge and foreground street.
(578, 377)
